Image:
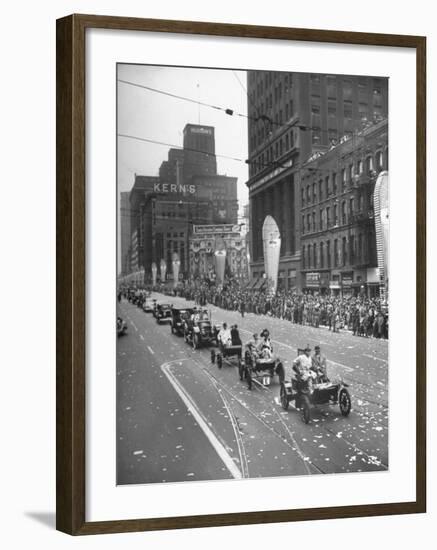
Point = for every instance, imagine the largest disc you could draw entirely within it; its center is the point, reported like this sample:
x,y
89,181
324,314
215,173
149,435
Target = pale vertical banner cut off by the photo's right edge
x,y
380,201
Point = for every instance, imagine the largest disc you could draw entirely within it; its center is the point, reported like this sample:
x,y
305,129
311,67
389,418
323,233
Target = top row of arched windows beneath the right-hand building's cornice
x,y
331,184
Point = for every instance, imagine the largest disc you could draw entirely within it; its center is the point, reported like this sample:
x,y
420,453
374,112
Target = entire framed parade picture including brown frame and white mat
x,y
241,274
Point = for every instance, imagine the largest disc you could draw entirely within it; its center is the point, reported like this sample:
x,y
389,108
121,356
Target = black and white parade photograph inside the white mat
x,y
253,282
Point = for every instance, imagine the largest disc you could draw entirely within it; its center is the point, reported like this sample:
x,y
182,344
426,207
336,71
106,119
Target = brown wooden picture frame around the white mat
x,y
71,248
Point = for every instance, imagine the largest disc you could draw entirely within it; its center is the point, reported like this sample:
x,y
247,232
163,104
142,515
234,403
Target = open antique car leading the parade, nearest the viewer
x,y
306,396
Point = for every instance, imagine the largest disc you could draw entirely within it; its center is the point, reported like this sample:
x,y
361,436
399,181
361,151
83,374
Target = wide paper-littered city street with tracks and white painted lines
x,y
180,418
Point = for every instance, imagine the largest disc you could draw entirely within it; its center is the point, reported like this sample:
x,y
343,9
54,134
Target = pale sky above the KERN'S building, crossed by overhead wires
x,y
150,115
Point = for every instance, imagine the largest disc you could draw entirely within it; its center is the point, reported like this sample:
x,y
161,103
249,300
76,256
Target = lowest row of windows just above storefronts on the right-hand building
x,y
343,252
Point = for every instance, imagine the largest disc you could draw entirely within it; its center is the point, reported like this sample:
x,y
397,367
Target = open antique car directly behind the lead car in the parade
x,y
260,368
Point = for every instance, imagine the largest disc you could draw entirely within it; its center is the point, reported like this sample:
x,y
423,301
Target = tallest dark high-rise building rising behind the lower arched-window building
x,y
292,116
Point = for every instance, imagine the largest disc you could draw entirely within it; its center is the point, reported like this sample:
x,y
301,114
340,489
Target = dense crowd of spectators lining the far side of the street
x,y
363,316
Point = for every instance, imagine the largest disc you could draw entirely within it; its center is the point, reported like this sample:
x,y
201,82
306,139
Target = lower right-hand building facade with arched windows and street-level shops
x,y
338,241
